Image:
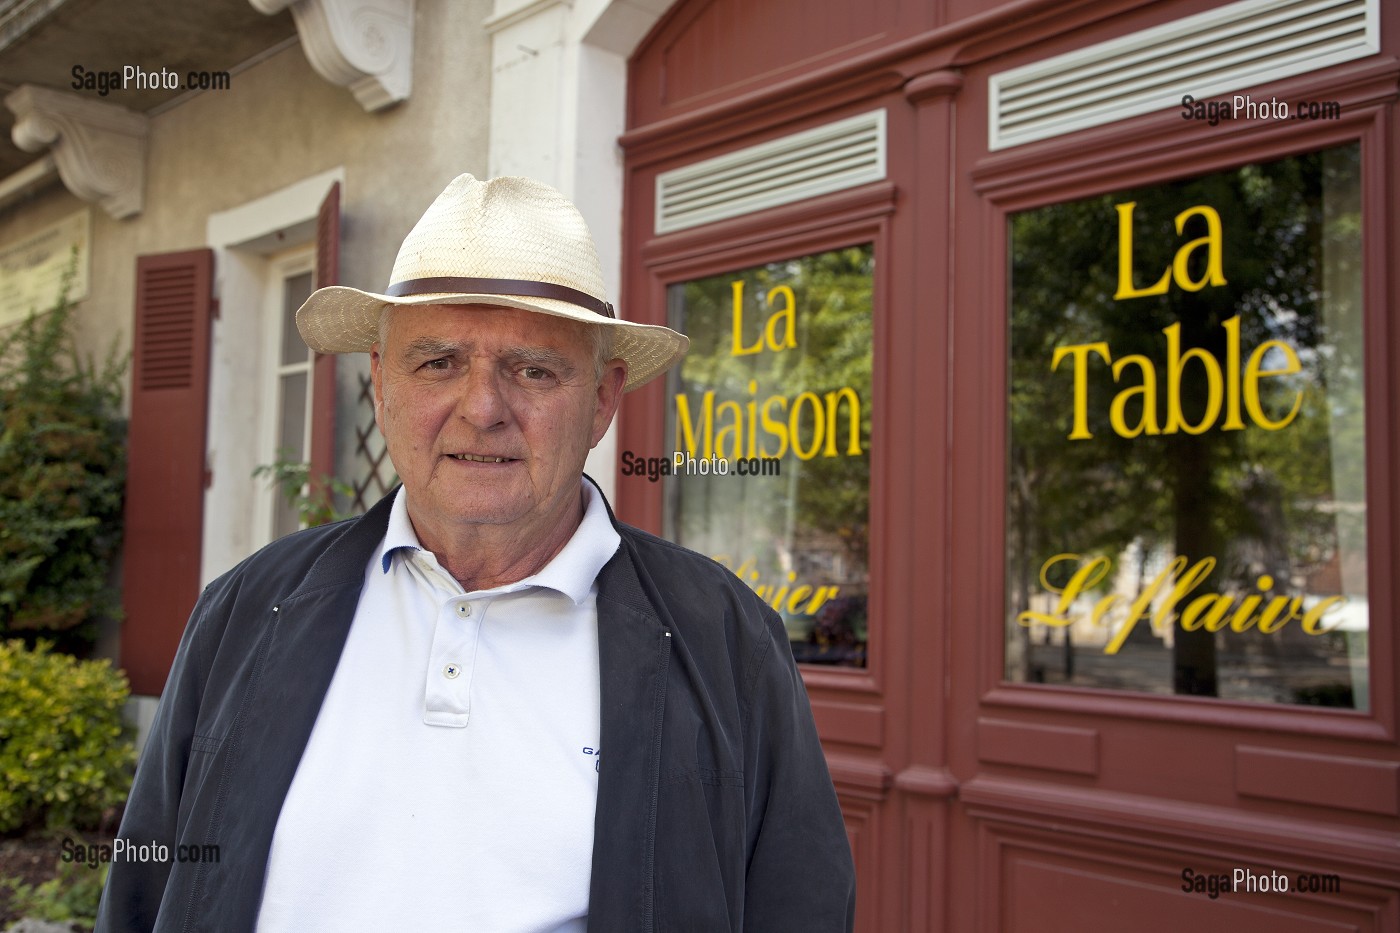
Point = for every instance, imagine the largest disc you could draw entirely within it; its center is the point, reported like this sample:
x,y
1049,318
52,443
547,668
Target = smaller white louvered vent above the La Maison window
x,y
807,165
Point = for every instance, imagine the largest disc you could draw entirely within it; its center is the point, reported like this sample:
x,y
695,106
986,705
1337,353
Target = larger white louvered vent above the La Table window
x,y
1207,55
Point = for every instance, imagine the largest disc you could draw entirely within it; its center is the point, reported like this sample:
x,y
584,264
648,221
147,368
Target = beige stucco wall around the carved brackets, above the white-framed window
x,y
282,123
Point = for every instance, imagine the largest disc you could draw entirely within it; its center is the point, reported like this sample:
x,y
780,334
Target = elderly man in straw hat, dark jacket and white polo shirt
x,y
485,705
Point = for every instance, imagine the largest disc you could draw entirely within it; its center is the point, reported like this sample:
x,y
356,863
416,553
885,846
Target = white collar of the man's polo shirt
x,y
572,572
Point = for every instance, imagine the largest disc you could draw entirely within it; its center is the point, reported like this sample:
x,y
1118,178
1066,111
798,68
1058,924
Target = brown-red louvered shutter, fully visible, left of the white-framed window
x,y
166,460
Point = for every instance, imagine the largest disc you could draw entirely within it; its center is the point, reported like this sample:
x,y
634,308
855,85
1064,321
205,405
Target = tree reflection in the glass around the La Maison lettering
x,y
813,520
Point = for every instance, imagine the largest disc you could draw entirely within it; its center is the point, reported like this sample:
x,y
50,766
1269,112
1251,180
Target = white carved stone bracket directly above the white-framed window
x,y
366,46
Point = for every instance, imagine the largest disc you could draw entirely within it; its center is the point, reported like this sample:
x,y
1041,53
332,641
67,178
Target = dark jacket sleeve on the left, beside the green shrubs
x,y
135,889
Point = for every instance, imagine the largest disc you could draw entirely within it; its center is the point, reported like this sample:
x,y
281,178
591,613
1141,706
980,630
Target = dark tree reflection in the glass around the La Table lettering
x,y
1263,502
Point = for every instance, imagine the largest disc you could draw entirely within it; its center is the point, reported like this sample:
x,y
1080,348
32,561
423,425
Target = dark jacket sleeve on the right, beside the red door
x,y
800,872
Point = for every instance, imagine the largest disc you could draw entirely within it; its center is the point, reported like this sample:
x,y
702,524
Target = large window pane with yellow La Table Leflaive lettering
x,y
1186,501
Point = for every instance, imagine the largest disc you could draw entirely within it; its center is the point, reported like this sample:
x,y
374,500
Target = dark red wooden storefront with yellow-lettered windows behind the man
x,y
997,775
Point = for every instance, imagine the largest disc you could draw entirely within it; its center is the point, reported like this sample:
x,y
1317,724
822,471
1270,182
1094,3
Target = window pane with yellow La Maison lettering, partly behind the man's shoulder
x,y
771,417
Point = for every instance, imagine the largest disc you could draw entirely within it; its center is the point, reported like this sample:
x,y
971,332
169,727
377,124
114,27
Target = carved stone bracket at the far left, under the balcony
x,y
100,149
